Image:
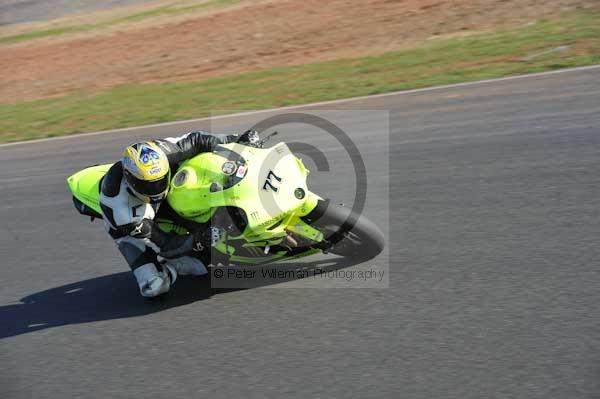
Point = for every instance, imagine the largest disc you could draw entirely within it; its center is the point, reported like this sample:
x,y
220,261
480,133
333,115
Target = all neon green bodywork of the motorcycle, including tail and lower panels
x,y
272,192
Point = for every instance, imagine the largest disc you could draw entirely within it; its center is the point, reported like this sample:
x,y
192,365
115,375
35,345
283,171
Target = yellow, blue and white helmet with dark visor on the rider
x,y
146,171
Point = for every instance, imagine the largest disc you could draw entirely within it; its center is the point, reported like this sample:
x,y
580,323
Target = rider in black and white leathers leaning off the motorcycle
x,y
131,193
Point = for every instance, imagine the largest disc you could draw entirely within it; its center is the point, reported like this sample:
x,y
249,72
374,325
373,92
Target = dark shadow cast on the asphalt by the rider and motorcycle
x,y
116,296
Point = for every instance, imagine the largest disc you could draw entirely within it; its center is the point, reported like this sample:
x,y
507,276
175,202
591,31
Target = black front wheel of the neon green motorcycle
x,y
347,233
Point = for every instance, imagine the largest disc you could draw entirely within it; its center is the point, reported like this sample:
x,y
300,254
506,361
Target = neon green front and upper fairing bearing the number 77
x,y
190,194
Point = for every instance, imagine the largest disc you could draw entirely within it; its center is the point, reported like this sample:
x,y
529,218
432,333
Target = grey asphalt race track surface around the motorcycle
x,y
494,284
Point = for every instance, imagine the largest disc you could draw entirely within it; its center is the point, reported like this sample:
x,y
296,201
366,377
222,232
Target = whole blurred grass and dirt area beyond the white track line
x,y
78,66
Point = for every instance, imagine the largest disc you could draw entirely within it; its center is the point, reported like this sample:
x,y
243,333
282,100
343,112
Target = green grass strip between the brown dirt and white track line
x,y
571,40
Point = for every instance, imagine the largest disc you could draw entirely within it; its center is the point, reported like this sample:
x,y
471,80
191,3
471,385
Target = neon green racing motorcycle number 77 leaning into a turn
x,y
255,203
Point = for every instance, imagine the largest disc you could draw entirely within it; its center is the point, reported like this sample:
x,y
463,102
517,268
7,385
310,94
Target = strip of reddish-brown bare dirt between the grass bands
x,y
246,38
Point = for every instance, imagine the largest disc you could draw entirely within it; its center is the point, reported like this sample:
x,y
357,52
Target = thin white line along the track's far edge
x,y
351,99
